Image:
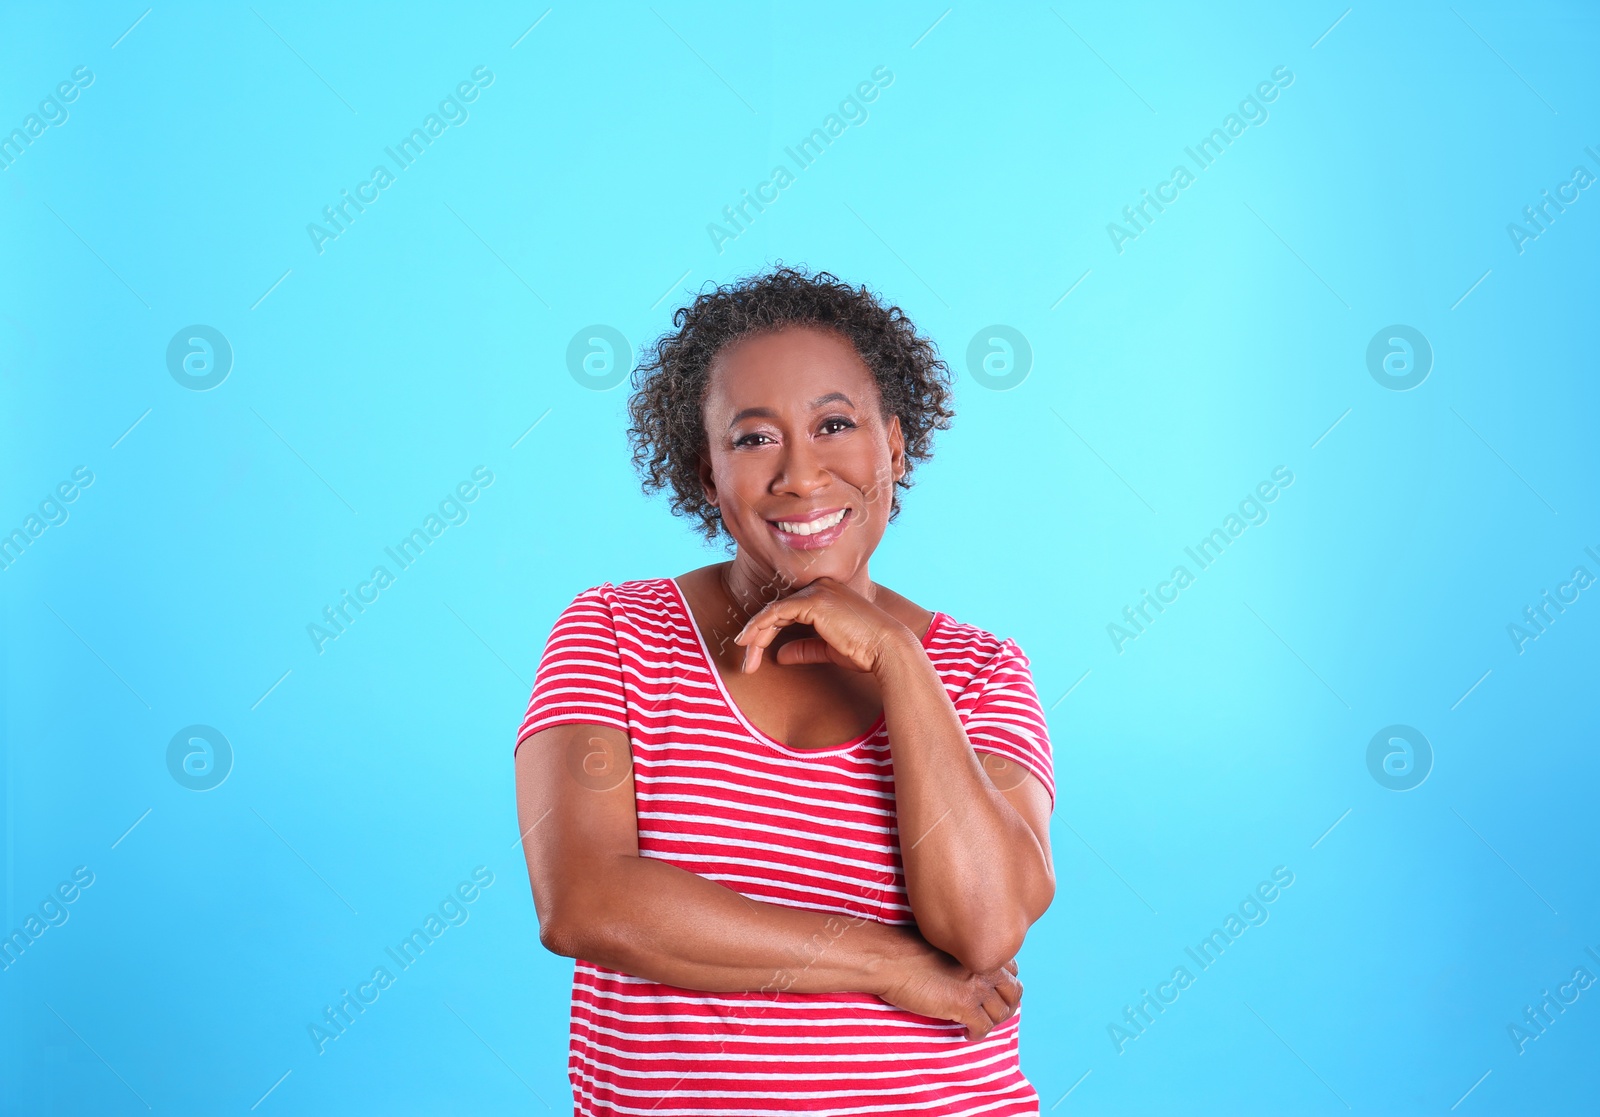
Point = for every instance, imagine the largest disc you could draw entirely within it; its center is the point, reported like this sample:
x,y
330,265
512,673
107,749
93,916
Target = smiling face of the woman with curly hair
x,y
796,444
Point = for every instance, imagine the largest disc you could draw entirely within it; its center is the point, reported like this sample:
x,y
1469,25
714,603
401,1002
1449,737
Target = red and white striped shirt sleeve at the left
x,y
580,678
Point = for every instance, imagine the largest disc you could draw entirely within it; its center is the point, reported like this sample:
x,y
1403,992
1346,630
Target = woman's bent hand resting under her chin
x,y
850,630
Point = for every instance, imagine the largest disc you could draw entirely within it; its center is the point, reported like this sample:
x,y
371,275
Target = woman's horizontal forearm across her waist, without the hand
x,y
665,924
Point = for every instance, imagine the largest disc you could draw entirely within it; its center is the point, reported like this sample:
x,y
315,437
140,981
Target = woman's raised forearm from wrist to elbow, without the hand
x,y
975,873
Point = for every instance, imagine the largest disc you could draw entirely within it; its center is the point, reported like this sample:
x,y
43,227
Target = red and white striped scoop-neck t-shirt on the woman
x,y
806,828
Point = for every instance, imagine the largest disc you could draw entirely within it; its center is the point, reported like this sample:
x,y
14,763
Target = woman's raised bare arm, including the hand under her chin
x,y
974,827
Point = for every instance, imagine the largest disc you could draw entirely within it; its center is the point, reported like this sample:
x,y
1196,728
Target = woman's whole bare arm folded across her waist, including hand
x,y
601,902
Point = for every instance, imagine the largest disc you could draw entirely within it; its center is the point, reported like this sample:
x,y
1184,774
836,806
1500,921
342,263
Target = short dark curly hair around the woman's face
x,y
668,430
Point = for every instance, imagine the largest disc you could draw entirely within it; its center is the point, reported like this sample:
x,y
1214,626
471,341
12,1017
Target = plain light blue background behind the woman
x,y
374,777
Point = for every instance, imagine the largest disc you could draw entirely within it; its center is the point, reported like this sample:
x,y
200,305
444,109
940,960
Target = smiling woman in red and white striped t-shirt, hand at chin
x,y
793,825
